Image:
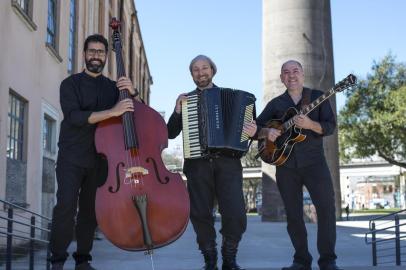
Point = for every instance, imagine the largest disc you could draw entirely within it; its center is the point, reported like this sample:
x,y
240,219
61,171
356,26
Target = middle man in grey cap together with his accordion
x,y
211,120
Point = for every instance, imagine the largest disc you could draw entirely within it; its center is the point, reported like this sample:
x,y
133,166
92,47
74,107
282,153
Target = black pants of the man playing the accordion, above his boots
x,y
221,178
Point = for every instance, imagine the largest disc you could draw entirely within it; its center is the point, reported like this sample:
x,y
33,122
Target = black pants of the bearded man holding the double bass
x,y
76,187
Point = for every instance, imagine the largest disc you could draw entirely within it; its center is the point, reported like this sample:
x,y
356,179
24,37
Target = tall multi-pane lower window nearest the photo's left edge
x,y
15,131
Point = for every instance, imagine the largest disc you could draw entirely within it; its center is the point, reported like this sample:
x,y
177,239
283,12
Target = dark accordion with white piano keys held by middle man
x,y
213,120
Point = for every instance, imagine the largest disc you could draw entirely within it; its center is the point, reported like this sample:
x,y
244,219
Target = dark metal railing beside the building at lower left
x,y
23,238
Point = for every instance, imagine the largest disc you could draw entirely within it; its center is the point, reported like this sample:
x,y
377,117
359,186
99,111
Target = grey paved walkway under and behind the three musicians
x,y
265,245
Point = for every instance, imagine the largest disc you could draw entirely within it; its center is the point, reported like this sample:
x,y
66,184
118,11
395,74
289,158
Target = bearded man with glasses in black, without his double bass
x,y
86,98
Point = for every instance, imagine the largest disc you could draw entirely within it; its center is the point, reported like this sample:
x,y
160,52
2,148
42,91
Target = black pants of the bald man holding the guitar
x,y
317,180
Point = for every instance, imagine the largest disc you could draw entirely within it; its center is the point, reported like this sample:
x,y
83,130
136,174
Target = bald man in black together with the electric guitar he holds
x,y
294,143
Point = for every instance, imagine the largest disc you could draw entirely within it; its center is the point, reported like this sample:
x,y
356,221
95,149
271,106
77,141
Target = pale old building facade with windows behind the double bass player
x,y
42,44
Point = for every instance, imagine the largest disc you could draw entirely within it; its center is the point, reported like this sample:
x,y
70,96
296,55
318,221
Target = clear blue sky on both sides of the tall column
x,y
229,31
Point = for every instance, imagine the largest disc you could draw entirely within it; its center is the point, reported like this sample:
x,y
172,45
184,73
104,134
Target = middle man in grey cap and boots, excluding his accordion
x,y
210,177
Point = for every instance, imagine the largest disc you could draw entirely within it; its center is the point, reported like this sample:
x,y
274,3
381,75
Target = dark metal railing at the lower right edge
x,y
387,237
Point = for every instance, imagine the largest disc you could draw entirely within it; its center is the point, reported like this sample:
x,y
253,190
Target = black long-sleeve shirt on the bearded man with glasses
x,y
80,96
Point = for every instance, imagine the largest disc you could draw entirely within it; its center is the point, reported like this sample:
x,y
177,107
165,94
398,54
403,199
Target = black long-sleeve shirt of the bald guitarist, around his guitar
x,y
311,150
